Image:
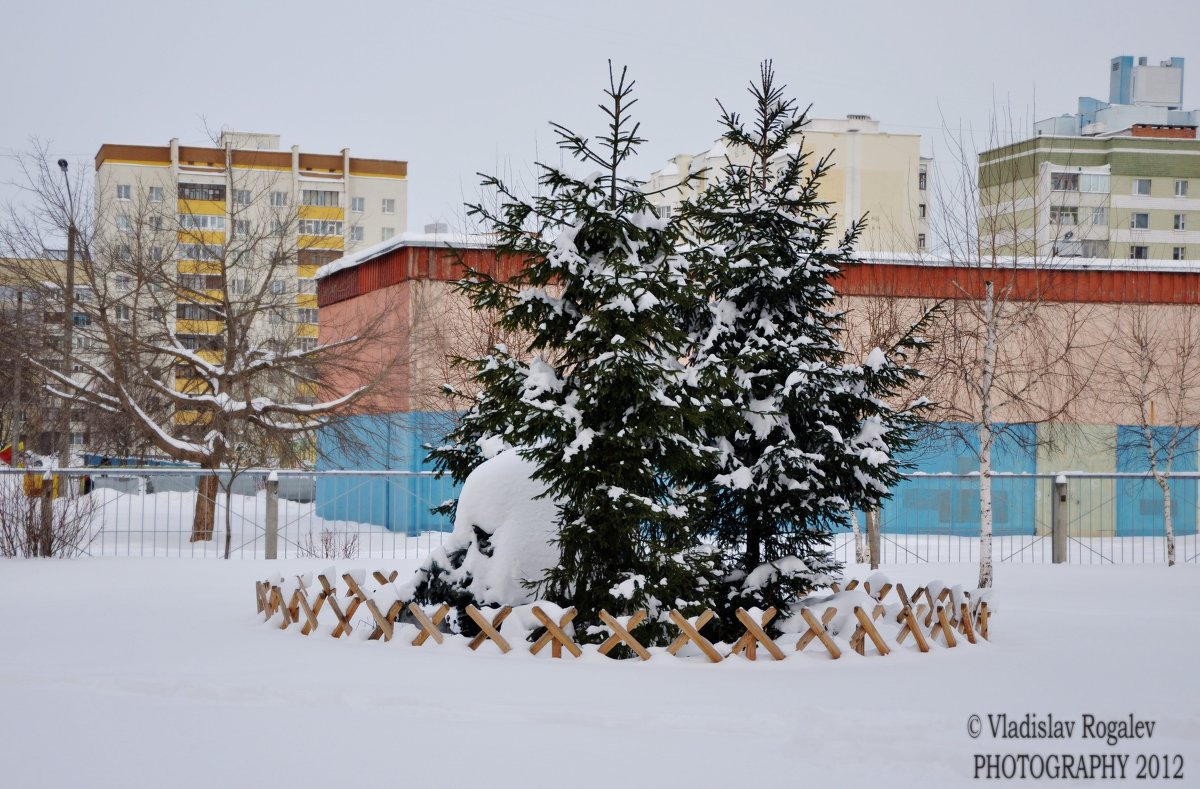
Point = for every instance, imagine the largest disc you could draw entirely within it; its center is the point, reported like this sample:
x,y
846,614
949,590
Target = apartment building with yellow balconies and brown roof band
x,y
238,221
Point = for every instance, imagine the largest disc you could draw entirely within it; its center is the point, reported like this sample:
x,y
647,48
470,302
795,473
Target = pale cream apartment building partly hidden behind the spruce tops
x,y
874,173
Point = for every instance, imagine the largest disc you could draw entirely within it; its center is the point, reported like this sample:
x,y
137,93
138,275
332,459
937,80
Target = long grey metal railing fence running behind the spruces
x,y
1108,519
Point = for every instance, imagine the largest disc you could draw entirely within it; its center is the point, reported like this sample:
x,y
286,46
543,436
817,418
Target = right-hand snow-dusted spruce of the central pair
x,y
815,436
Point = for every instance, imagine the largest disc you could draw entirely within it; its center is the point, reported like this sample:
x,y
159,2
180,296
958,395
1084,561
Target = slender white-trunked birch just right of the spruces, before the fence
x,y
1016,351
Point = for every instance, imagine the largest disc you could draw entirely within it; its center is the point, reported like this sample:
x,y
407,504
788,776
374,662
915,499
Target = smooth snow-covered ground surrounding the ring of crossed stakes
x,y
158,673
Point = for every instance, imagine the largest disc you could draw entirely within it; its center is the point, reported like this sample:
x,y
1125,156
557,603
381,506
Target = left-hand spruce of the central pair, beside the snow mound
x,y
603,406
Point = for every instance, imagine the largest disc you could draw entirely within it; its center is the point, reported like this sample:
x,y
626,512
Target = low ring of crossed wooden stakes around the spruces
x,y
857,617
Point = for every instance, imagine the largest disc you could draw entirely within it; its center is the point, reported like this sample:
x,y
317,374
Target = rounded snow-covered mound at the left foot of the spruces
x,y
501,537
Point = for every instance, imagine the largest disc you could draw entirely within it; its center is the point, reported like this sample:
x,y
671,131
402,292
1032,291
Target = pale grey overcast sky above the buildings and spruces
x,y
459,88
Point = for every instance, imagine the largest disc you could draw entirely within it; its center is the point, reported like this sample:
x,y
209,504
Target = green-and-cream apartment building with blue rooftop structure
x,y
1119,179
